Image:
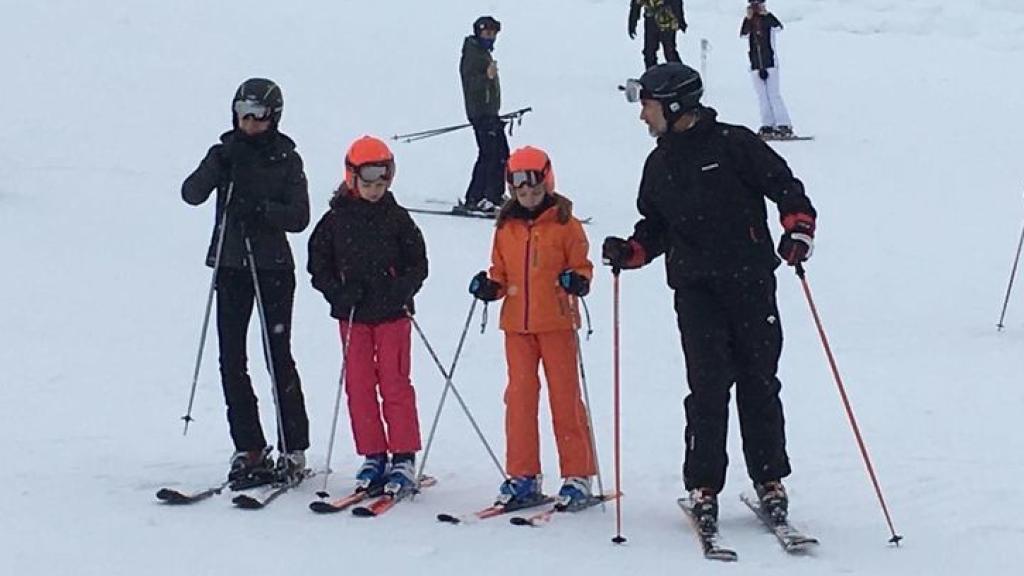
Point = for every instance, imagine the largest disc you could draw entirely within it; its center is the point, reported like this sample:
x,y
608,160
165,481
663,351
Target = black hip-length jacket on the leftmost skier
x,y
269,172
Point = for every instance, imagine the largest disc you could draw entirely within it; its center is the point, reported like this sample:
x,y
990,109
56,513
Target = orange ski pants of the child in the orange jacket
x,y
523,443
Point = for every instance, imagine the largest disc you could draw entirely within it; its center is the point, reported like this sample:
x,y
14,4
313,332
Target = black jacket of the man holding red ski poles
x,y
702,201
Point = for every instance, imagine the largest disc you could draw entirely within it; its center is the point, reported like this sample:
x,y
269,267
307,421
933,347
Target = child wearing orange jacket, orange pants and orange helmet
x,y
539,266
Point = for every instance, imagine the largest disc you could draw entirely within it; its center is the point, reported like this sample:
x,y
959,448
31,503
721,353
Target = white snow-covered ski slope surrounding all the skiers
x,y
916,173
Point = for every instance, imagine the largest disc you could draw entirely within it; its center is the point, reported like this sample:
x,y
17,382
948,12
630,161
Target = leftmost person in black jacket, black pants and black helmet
x,y
261,183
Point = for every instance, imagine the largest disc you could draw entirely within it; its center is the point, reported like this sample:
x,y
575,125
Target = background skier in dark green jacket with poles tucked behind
x,y
483,94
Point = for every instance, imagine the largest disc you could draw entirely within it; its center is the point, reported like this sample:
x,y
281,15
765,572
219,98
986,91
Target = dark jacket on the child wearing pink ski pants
x,y
373,244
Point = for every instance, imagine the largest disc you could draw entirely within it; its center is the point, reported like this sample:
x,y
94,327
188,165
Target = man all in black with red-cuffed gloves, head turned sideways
x,y
702,205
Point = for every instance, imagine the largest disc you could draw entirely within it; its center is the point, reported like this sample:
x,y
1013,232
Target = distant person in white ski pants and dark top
x,y
760,27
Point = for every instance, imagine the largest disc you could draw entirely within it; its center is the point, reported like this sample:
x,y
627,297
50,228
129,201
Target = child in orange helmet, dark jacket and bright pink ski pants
x,y
368,258
